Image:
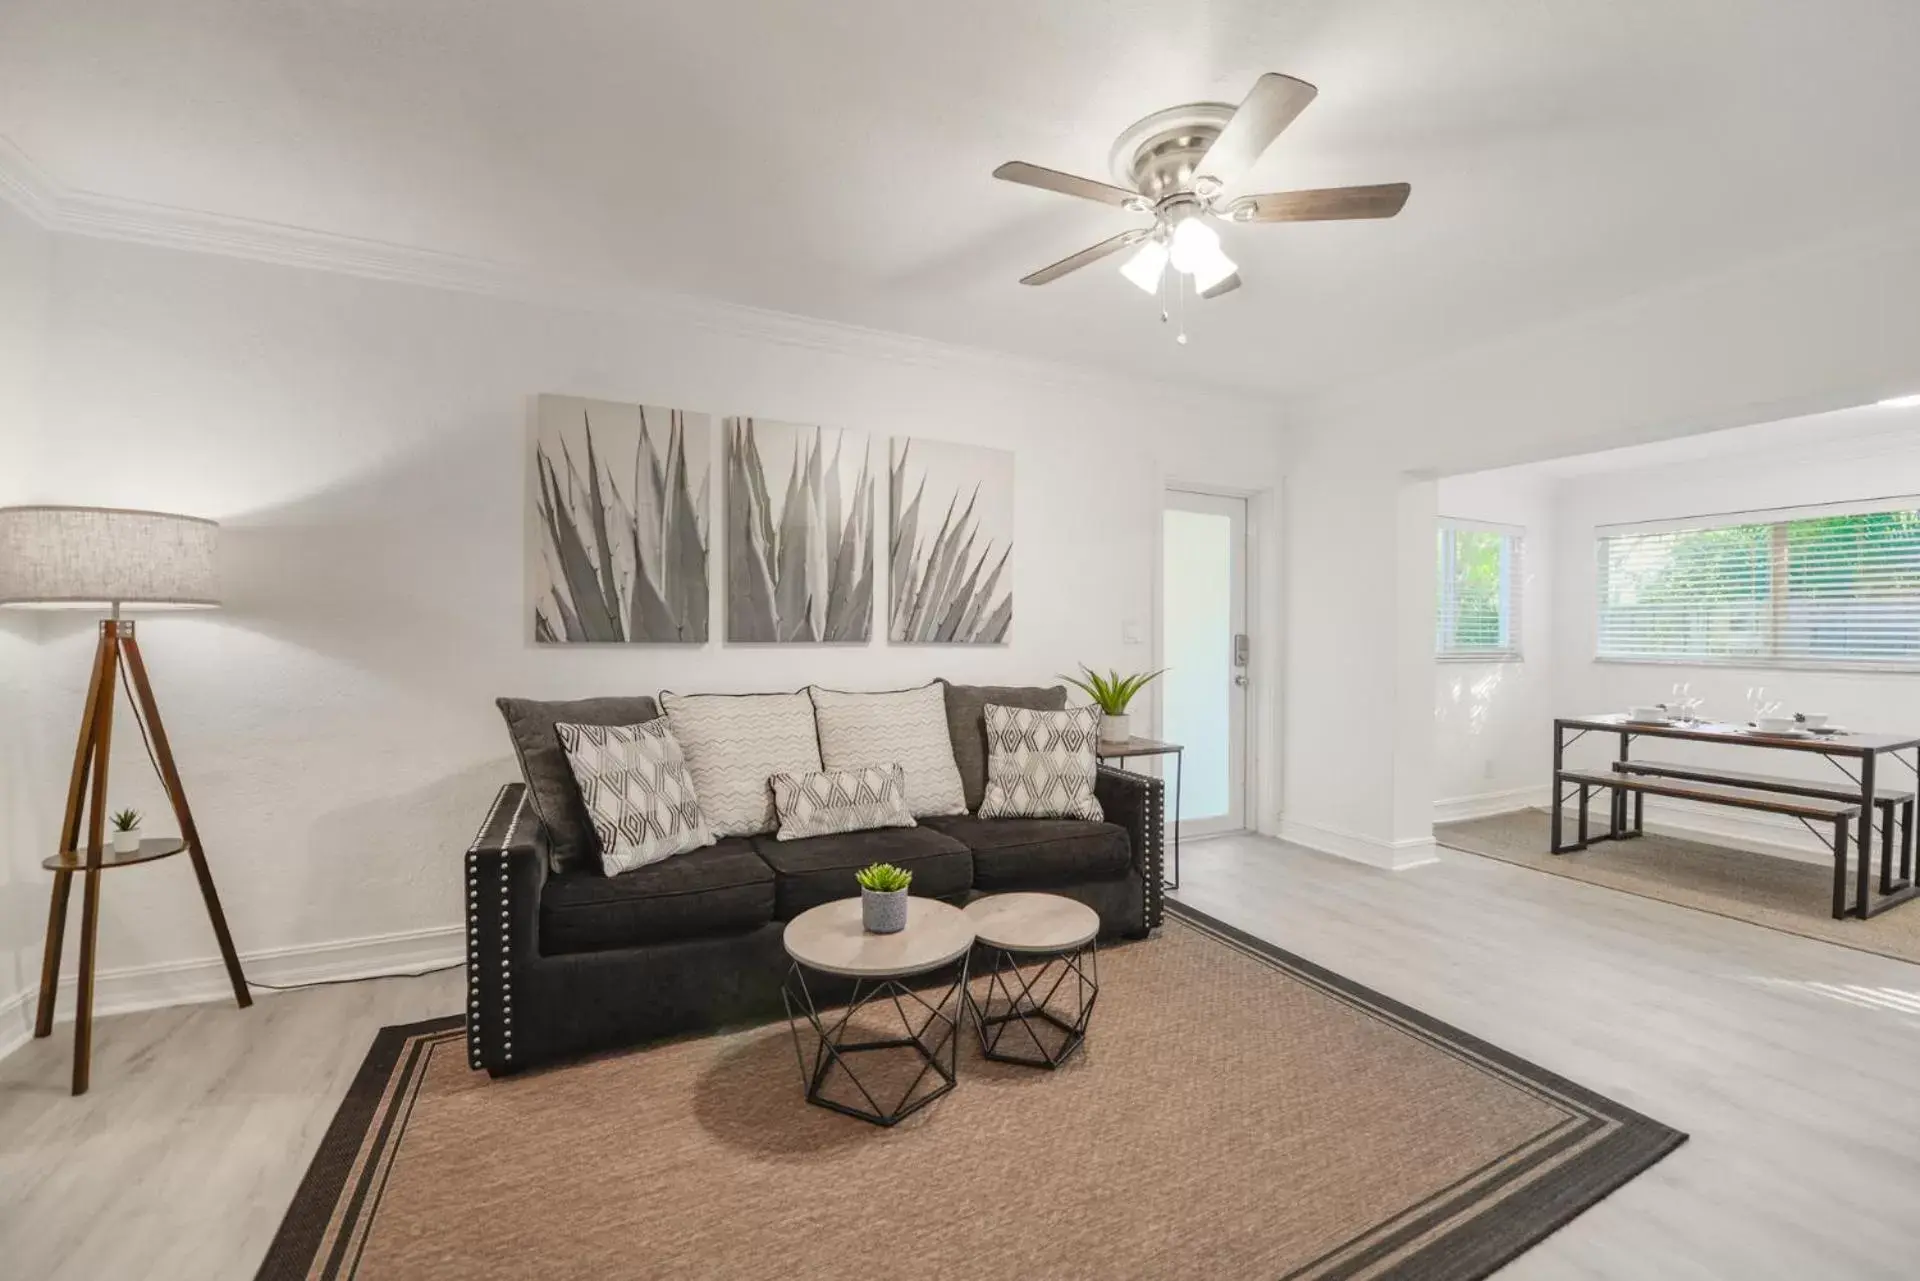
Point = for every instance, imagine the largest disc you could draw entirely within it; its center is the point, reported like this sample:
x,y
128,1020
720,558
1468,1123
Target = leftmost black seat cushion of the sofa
x,y
715,890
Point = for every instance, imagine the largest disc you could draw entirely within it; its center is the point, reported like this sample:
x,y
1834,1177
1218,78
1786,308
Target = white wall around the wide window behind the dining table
x,y
1833,462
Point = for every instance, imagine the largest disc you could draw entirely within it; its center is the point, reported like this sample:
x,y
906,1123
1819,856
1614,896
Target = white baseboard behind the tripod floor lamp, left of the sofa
x,y
193,982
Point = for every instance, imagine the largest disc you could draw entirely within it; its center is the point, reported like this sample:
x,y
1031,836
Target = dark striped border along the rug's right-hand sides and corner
x,y
1497,1238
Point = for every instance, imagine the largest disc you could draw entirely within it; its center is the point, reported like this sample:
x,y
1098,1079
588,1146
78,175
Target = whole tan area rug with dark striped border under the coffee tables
x,y
1236,1113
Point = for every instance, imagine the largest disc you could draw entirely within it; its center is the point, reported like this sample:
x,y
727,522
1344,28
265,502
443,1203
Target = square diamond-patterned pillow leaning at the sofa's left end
x,y
638,792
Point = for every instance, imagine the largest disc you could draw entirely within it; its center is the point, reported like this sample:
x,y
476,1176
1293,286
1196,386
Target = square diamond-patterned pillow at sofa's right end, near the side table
x,y
1042,765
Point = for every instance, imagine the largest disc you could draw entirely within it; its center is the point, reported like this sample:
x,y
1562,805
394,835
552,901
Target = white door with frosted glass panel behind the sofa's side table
x,y
1203,644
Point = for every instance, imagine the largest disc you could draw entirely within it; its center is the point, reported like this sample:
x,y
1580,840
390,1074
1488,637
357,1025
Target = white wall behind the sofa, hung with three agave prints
x,y
364,447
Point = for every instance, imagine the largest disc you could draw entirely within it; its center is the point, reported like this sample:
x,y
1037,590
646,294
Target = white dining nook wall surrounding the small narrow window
x,y
1491,738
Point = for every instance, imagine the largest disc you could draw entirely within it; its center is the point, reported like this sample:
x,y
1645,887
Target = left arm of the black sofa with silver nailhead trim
x,y
506,873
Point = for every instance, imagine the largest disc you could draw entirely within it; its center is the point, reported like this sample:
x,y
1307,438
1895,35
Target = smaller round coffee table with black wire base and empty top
x,y
1042,977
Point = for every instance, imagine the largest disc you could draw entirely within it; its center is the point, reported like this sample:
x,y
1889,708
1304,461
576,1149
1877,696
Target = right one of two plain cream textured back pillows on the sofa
x,y
901,727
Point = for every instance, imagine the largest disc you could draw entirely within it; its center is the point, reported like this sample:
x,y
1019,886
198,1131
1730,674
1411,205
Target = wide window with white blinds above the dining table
x,y
1836,589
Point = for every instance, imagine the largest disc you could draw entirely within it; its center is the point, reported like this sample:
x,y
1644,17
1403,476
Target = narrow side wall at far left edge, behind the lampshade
x,y
24,297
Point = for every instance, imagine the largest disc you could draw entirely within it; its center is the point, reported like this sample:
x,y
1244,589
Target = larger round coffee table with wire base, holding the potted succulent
x,y
830,940
